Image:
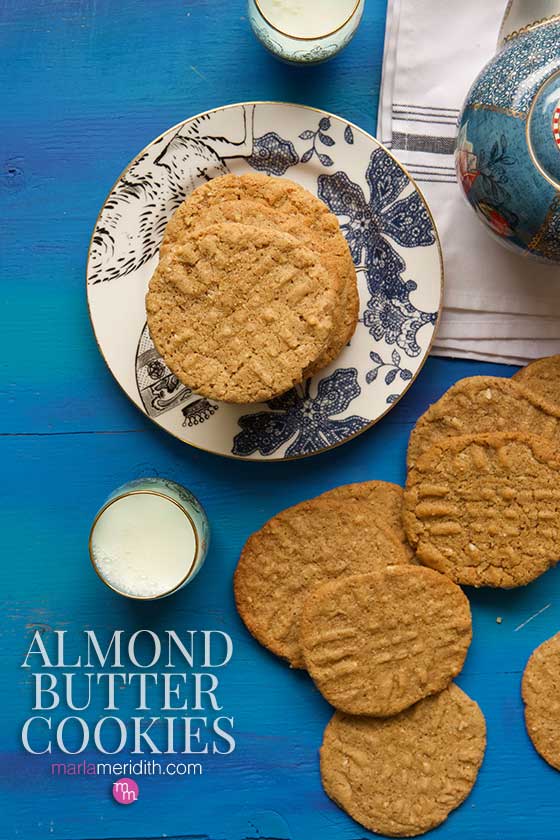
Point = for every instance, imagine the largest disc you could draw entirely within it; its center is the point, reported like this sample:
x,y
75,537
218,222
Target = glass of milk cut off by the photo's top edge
x,y
305,31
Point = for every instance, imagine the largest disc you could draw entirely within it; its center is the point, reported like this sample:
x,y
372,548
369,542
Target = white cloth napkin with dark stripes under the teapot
x,y
499,306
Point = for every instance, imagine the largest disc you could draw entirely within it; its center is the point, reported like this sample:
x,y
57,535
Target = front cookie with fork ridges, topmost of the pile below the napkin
x,y
485,509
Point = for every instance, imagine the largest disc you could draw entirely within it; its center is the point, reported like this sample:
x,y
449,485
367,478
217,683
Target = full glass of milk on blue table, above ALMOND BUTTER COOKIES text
x,y
149,539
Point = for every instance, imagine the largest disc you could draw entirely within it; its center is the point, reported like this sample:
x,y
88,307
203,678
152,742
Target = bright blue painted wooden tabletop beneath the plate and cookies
x,y
87,83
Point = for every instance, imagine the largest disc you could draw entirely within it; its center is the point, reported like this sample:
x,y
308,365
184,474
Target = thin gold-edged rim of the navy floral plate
x,y
368,426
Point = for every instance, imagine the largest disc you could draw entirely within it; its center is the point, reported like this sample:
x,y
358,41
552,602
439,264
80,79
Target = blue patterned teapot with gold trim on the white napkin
x,y
508,146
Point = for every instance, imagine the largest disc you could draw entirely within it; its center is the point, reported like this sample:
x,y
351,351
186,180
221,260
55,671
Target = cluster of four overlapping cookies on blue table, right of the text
x,y
331,585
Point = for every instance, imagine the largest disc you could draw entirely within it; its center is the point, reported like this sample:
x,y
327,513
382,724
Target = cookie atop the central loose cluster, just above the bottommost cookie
x,y
375,644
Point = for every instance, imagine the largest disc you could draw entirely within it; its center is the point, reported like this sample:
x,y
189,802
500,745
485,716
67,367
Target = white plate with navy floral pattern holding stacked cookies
x,y
391,235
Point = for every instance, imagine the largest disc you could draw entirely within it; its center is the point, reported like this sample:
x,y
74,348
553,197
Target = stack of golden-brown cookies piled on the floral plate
x,y
255,289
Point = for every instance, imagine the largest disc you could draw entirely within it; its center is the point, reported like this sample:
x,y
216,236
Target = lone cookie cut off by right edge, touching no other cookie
x,y
540,689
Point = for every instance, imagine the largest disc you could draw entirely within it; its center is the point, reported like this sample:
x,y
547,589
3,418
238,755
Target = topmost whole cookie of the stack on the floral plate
x,y
223,331
